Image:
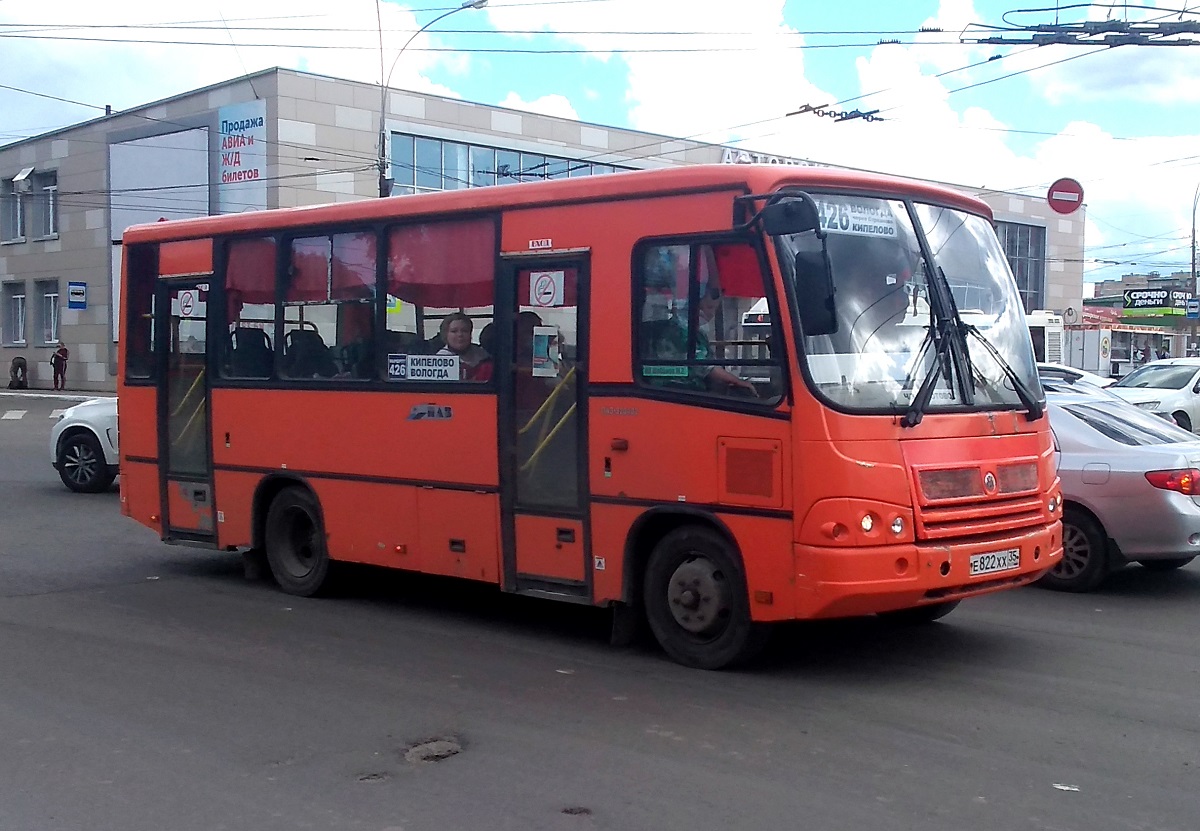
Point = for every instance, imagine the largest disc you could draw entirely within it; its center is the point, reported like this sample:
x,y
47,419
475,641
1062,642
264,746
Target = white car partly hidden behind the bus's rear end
x,y
83,446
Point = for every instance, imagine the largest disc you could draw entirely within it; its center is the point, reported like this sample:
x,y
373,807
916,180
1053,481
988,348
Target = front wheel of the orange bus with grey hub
x,y
697,601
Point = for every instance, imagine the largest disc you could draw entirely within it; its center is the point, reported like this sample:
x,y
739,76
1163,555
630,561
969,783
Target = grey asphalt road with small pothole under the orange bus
x,y
148,687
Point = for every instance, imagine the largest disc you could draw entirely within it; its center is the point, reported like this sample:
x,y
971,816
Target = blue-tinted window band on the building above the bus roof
x,y
422,165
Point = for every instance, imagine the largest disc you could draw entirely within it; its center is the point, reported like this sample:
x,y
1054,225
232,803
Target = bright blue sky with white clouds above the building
x,y
1123,122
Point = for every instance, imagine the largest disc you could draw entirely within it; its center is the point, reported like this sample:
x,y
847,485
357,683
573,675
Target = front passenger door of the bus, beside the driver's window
x,y
543,429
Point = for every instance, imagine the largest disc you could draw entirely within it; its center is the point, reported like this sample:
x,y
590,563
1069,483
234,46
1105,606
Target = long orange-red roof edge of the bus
x,y
743,178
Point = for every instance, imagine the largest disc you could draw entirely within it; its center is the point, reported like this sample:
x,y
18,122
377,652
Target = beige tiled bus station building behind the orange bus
x,y
283,139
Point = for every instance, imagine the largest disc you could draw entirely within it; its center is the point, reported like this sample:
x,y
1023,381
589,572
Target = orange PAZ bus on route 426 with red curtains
x,y
717,397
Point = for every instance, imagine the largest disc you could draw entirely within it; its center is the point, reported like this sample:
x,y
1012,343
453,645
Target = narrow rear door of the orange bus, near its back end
x,y
187,461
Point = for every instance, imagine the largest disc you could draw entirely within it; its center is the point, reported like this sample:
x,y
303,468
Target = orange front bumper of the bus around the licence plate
x,y
851,582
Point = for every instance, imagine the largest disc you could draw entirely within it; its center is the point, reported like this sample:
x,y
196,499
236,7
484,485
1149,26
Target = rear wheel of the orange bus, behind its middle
x,y
296,543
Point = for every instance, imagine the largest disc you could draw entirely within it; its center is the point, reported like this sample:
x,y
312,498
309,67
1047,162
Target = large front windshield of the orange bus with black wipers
x,y
886,340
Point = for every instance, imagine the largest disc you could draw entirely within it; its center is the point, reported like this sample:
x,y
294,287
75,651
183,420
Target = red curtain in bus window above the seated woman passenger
x,y
445,265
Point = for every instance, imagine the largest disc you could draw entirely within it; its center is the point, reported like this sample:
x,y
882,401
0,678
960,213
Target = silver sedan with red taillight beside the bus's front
x,y
1131,486
